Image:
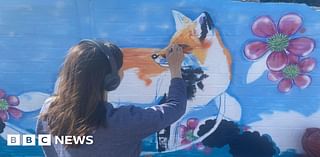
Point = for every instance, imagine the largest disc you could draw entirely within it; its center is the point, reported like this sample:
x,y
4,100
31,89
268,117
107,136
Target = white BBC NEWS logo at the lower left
x,y
46,140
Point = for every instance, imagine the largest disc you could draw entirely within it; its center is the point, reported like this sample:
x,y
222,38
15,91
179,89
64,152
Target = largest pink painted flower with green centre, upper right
x,y
278,41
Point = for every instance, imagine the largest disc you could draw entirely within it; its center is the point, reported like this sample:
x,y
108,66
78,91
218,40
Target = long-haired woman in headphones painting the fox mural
x,y
81,108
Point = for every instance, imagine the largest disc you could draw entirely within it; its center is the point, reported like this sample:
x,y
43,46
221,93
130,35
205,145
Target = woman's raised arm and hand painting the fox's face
x,y
143,122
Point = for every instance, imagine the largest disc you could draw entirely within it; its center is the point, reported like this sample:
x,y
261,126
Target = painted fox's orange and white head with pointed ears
x,y
194,36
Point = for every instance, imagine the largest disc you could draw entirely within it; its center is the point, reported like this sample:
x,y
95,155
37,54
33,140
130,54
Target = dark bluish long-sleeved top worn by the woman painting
x,y
126,127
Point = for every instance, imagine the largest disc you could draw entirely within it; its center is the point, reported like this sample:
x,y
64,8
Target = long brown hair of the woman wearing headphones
x,y
78,107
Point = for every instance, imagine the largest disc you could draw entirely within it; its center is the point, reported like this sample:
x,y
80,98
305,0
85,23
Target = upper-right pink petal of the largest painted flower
x,y
289,24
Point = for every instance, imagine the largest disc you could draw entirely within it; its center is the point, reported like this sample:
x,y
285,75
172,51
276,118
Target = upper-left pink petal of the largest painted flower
x,y
264,27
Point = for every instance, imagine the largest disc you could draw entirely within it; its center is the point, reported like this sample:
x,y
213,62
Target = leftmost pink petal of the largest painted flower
x,y
255,50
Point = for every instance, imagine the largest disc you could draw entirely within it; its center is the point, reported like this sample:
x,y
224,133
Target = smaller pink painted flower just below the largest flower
x,y
293,73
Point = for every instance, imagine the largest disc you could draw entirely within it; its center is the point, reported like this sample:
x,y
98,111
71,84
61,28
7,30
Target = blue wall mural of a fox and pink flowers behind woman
x,y
251,69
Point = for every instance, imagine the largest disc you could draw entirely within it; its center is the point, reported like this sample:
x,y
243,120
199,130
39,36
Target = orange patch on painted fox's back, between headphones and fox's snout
x,y
140,58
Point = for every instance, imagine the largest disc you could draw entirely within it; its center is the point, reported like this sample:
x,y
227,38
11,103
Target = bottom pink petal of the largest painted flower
x,y
277,61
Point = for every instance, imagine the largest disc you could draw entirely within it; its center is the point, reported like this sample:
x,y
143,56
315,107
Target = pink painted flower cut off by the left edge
x,y
7,104
